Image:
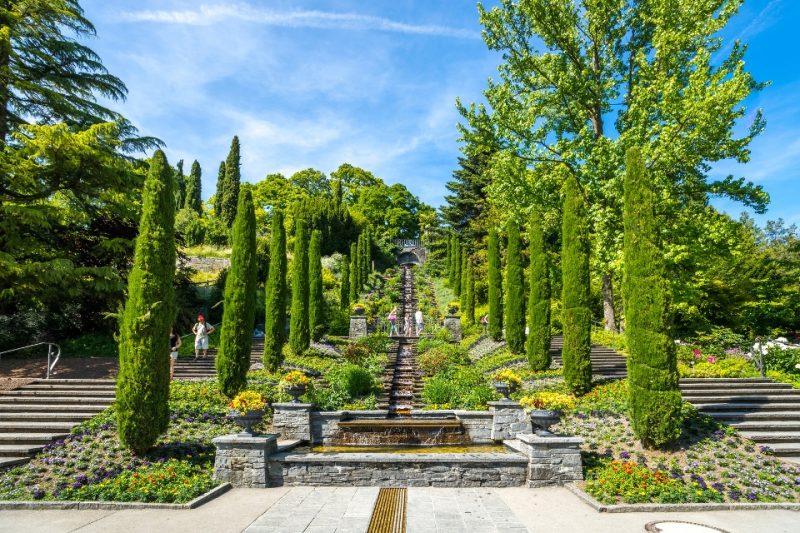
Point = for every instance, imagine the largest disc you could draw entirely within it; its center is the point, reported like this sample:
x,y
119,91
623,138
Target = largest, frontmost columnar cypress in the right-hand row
x,y
654,397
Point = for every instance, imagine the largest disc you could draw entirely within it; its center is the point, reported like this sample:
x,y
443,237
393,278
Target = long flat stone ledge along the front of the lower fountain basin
x,y
443,458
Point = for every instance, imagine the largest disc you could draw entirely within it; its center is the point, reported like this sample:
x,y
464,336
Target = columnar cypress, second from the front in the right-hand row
x,y
576,315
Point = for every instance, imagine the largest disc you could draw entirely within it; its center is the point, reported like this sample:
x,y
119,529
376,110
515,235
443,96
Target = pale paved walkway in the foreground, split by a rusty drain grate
x,y
342,510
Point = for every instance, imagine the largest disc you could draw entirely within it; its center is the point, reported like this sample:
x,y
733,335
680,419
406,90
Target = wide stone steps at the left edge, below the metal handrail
x,y
45,410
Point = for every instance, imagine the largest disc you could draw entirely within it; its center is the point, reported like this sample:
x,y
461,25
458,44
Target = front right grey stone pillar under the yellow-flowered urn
x,y
553,460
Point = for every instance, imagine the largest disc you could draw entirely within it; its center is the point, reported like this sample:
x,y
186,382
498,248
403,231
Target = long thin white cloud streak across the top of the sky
x,y
206,15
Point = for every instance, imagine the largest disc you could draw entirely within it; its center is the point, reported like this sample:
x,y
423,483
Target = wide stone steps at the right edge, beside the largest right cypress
x,y
762,410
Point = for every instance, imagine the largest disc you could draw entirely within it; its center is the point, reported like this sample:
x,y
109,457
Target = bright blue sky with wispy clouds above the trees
x,y
315,84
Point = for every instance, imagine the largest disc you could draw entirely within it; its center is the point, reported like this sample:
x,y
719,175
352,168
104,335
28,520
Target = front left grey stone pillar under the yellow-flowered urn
x,y
242,460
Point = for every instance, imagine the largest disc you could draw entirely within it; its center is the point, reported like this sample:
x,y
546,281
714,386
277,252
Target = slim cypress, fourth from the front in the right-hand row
x,y
515,291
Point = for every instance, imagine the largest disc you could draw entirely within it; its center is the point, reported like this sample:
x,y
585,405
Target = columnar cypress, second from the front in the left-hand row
x,y
236,338
